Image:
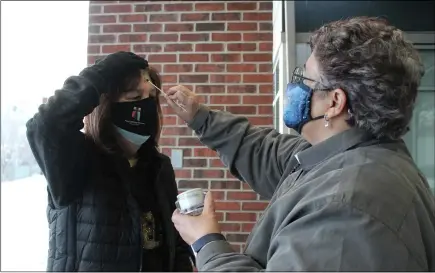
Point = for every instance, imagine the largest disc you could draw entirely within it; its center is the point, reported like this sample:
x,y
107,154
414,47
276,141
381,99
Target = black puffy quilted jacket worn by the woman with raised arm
x,y
93,217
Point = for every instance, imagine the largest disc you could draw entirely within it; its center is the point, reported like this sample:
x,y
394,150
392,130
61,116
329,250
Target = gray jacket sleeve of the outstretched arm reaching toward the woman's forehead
x,y
254,155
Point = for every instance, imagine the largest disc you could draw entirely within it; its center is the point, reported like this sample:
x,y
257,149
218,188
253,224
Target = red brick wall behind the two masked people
x,y
222,50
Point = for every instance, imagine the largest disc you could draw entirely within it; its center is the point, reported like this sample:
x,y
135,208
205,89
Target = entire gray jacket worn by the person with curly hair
x,y
351,203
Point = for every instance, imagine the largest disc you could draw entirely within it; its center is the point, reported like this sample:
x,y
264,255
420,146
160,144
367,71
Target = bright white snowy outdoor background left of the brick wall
x,y
43,43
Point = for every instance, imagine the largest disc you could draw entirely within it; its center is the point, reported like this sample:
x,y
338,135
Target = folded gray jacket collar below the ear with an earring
x,y
332,146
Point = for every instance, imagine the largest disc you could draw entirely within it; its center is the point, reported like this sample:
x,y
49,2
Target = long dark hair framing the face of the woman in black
x,y
98,125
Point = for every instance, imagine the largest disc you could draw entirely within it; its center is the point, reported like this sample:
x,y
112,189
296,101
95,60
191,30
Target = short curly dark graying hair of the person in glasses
x,y
377,68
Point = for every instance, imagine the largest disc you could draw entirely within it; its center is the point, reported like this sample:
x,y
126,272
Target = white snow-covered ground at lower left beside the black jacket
x,y
24,226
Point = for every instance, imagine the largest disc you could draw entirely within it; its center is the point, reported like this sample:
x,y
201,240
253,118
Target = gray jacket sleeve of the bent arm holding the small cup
x,y
335,238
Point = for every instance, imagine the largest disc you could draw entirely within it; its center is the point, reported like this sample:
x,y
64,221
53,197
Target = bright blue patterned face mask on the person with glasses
x,y
297,112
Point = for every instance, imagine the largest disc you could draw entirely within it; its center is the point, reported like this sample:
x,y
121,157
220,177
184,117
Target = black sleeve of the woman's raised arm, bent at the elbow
x,y
60,148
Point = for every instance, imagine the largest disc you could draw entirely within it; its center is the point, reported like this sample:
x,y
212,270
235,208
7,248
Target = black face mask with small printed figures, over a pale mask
x,y
136,120
